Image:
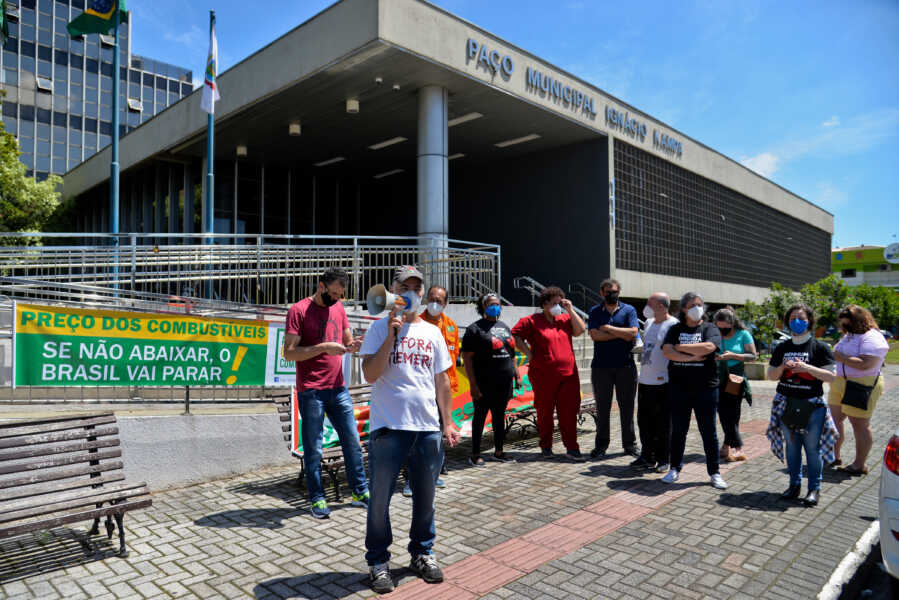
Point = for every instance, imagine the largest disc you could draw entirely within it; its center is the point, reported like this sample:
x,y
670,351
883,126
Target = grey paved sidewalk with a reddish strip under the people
x,y
532,529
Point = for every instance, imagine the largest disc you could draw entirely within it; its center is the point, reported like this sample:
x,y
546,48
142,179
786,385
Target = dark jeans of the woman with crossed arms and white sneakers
x,y
703,401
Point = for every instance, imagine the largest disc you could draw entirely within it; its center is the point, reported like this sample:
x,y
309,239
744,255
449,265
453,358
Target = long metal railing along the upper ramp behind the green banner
x,y
249,268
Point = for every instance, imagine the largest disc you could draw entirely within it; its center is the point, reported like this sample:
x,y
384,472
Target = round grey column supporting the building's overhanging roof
x,y
433,182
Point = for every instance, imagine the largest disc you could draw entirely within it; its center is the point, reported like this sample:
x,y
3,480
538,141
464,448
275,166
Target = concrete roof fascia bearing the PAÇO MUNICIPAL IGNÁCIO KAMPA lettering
x,y
443,38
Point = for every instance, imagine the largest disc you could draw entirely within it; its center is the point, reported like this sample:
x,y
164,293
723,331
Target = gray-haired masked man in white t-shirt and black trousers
x,y
653,410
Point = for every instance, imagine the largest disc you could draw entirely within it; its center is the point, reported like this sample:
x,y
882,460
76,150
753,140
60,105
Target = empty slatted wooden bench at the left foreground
x,y
61,470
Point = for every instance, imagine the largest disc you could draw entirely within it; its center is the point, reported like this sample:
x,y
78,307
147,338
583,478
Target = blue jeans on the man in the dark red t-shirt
x,y
338,405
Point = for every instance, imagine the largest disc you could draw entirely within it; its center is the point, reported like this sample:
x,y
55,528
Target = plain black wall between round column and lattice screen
x,y
548,211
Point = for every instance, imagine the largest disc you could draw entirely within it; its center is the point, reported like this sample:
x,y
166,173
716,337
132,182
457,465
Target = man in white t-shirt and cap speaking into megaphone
x,y
406,360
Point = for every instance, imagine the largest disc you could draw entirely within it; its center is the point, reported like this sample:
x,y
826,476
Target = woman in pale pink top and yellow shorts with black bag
x,y
858,385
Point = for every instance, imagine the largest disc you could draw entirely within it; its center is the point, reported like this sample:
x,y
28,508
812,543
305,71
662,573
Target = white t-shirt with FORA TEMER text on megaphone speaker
x,y
404,396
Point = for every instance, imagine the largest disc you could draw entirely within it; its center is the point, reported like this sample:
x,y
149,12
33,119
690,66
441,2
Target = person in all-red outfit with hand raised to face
x,y
545,339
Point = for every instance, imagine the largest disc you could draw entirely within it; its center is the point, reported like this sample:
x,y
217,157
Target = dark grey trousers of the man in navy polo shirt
x,y
623,380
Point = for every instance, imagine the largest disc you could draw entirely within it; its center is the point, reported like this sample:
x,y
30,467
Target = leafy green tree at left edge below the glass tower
x,y
25,203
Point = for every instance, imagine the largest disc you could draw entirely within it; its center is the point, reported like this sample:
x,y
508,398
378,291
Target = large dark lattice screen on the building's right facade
x,y
655,233
